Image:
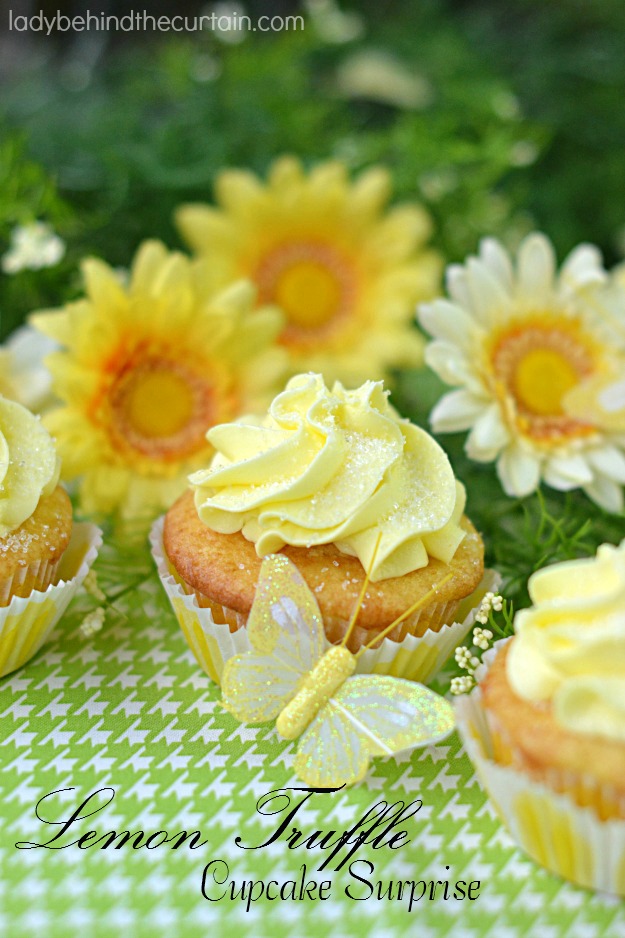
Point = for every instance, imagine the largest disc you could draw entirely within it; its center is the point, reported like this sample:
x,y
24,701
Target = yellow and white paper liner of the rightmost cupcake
x,y
555,831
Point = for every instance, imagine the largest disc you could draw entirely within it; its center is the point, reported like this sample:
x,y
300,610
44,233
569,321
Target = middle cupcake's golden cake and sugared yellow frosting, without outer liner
x,y
342,485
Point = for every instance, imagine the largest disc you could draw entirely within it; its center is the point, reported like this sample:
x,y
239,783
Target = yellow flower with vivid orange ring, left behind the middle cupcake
x,y
146,369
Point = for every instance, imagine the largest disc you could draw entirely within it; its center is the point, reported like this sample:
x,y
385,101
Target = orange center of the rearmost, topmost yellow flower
x,y
313,284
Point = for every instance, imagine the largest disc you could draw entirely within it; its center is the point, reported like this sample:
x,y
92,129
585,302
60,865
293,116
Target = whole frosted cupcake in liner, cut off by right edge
x,y
546,724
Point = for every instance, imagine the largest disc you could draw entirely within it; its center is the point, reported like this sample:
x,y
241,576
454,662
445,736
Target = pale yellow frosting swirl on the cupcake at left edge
x,y
29,467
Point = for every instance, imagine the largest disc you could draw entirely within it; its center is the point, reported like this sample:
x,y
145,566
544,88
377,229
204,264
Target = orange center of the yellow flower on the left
x,y
159,408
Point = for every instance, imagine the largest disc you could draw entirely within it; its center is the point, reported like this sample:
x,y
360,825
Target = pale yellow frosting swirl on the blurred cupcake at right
x,y
570,646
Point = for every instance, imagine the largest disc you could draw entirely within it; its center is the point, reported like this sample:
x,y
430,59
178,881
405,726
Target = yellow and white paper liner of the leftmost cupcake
x,y
26,622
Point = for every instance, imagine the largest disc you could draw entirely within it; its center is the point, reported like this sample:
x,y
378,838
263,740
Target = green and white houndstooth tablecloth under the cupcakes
x,y
130,710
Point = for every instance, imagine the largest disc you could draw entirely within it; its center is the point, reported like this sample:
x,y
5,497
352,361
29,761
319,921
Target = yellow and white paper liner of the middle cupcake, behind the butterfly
x,y
214,637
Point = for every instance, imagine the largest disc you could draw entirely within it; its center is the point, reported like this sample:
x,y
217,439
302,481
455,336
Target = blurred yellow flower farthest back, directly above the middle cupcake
x,y
346,273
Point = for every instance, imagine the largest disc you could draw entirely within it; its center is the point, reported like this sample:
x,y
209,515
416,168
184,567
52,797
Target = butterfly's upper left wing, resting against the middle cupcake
x,y
285,630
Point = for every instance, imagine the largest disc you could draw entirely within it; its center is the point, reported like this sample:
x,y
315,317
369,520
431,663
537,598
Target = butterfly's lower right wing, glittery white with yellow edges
x,y
370,715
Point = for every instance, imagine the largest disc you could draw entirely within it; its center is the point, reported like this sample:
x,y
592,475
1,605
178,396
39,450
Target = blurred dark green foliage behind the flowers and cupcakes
x,y
499,117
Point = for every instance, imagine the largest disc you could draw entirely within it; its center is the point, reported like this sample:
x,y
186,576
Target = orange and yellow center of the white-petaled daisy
x,y
535,365
